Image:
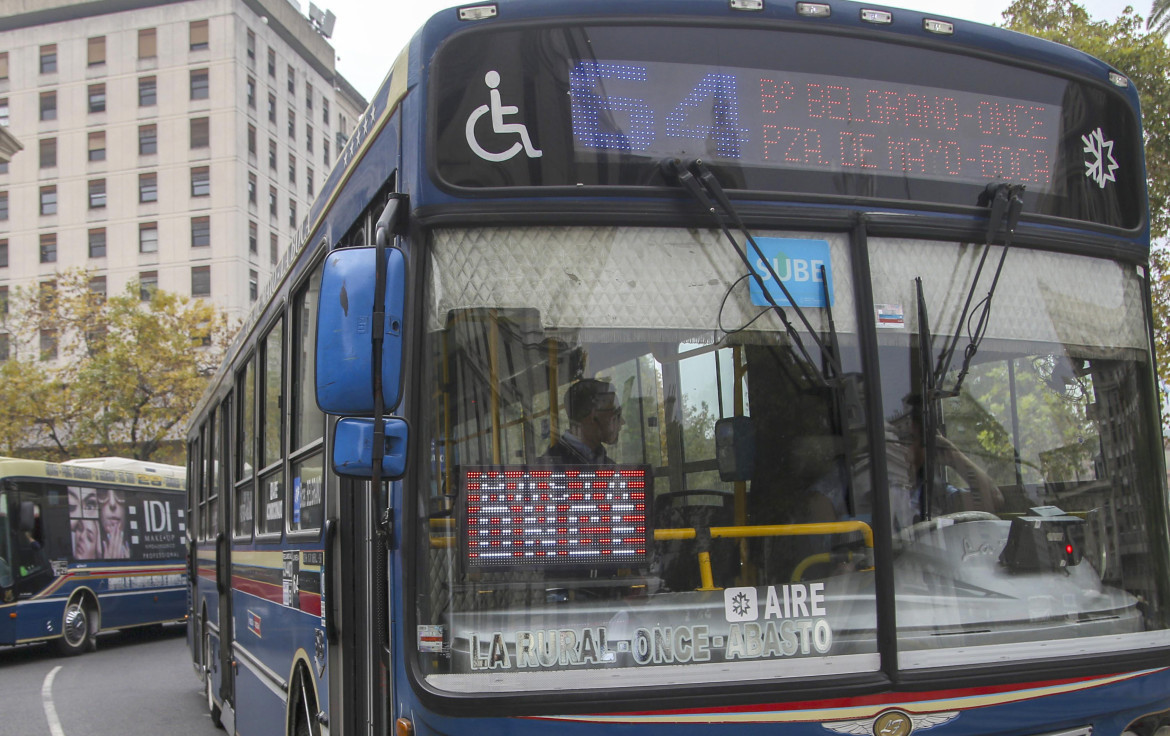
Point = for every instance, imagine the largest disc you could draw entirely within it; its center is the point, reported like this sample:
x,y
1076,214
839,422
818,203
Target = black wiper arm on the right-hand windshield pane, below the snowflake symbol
x,y
1007,202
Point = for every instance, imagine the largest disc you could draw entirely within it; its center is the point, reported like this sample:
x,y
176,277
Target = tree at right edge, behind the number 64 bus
x,y
1145,58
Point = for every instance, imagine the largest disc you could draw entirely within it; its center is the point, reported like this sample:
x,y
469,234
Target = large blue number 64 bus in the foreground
x,y
739,367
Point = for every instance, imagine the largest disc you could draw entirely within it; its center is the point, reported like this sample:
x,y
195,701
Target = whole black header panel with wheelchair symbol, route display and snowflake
x,y
594,111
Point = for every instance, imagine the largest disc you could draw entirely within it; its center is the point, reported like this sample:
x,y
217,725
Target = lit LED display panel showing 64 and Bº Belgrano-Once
x,y
816,122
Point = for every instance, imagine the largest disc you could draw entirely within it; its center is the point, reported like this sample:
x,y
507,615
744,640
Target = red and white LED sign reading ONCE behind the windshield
x,y
545,517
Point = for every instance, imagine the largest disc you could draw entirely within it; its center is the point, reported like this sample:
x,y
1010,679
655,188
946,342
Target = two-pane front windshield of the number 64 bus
x,y
641,473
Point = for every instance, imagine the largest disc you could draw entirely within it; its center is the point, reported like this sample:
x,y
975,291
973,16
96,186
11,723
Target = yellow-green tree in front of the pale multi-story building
x,y
126,375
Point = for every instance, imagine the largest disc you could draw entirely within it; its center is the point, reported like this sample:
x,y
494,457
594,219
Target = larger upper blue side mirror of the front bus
x,y
346,332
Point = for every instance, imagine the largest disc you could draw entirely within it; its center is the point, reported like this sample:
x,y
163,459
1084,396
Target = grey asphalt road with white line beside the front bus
x,y
136,684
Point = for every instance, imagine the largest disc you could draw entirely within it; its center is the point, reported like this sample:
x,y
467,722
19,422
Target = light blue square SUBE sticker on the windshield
x,y
799,264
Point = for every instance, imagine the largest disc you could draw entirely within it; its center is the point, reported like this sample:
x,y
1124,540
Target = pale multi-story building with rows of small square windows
x,y
173,143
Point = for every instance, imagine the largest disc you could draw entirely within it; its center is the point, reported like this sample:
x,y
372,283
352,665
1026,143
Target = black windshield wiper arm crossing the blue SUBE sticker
x,y
701,184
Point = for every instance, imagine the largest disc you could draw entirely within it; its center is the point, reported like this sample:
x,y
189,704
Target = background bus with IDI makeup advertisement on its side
x,y
90,546
